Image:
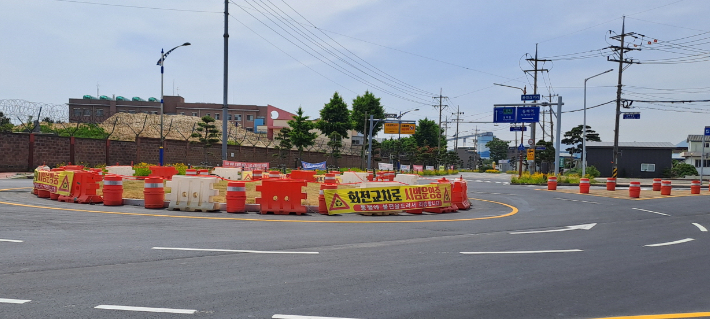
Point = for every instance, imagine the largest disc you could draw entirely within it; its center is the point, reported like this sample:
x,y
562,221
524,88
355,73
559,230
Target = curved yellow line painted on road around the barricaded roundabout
x,y
514,211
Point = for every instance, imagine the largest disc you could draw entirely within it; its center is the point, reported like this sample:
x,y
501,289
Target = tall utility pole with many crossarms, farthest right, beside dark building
x,y
620,50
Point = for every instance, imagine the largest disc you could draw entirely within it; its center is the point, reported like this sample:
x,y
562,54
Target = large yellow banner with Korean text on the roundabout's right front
x,y
383,199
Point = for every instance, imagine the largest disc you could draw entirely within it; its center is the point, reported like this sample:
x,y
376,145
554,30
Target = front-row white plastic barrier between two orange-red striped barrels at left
x,y
189,193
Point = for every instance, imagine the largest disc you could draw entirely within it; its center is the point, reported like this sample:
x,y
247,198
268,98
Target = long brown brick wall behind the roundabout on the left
x,y
52,150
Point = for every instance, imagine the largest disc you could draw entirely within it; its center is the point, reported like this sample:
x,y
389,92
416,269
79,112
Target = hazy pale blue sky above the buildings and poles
x,y
292,54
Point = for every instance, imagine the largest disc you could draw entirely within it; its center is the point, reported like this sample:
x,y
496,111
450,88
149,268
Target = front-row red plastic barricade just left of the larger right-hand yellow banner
x,y
281,197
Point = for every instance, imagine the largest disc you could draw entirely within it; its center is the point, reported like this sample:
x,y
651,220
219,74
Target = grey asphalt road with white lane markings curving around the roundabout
x,y
638,258
